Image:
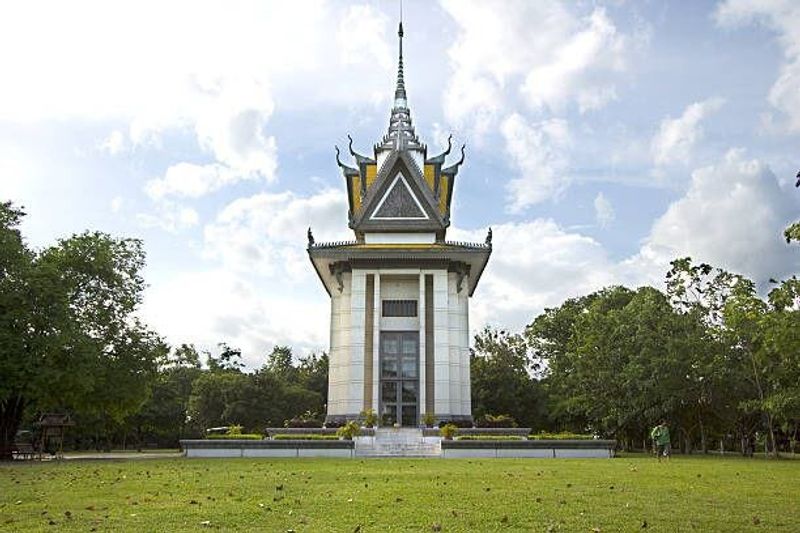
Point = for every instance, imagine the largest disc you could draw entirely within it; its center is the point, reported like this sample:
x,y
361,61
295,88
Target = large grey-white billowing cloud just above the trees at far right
x,y
732,216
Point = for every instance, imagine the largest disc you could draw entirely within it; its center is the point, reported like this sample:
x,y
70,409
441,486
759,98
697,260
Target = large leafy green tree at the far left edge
x,y
68,338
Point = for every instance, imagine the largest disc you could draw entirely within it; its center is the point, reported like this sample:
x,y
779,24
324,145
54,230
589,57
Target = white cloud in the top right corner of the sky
x,y
781,16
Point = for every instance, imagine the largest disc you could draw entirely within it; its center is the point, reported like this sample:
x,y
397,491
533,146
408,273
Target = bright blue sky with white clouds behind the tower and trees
x,y
604,139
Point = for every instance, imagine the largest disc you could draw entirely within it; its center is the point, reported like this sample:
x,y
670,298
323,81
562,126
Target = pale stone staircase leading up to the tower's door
x,y
398,442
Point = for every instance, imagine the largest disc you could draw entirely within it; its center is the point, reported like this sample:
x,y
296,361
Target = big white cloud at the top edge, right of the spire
x,y
544,51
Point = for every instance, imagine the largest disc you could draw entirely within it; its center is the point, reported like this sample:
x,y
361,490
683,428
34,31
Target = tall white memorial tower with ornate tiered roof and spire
x,y
400,291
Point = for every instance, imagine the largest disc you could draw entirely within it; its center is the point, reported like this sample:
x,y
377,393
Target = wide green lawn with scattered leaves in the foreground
x,y
623,494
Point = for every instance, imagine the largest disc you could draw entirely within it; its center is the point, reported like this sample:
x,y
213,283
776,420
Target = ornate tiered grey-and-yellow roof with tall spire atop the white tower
x,y
400,190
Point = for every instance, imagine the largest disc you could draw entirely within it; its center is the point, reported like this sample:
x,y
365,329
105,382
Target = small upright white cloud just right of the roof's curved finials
x,y
538,151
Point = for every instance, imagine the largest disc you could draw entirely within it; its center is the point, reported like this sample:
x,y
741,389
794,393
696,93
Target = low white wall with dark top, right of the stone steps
x,y
594,448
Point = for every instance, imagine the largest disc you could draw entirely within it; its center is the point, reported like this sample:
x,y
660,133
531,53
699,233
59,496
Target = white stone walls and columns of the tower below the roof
x,y
348,395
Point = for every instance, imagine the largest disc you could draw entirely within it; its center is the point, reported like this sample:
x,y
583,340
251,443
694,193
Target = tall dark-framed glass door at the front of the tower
x,y
399,363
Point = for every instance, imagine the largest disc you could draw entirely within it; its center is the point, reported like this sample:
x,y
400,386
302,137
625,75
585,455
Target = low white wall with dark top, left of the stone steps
x,y
267,448
